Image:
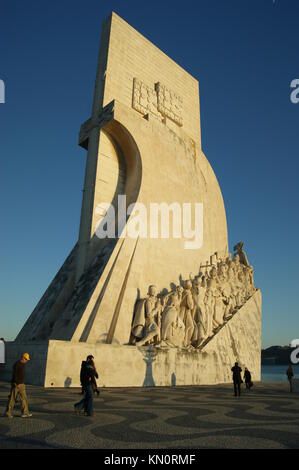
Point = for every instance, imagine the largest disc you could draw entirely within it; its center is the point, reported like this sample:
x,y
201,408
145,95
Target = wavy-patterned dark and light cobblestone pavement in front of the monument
x,y
153,418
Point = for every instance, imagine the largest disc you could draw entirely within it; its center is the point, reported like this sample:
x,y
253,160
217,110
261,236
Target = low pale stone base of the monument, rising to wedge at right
x,y
57,363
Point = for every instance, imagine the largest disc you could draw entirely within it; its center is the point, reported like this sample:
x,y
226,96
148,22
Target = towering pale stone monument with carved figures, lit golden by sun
x,y
133,302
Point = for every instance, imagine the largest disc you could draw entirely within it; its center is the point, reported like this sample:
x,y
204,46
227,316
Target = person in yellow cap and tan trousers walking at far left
x,y
18,388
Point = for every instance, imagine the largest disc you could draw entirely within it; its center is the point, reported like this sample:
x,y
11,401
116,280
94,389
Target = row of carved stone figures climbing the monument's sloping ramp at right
x,y
193,312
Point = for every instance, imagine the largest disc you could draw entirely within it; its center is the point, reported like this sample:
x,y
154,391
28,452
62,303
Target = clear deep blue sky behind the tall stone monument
x,y
244,54
